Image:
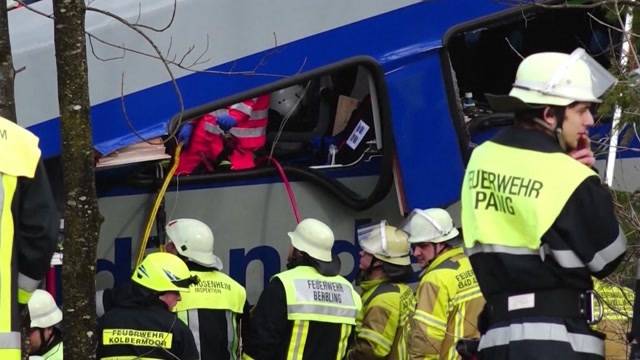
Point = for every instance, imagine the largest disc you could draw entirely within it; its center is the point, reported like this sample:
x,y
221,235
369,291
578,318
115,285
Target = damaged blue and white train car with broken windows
x,y
398,66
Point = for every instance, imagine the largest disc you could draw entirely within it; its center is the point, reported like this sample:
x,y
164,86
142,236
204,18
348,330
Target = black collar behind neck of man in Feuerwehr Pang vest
x,y
527,139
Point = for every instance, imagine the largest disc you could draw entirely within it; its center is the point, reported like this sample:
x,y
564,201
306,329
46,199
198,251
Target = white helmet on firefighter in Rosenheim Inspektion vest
x,y
194,240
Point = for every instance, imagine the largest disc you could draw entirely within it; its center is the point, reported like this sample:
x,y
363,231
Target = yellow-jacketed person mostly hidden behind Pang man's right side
x,y
615,317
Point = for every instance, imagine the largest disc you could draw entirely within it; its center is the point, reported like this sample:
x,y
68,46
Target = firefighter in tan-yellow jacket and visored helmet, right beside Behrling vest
x,y
387,302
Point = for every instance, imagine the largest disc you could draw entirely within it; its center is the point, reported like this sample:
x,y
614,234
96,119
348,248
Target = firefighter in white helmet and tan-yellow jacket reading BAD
x,y
448,296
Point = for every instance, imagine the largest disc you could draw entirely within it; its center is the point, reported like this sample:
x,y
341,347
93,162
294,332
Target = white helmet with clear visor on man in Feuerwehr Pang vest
x,y
552,78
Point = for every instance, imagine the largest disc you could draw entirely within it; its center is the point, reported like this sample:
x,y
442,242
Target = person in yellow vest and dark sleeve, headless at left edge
x,y
28,229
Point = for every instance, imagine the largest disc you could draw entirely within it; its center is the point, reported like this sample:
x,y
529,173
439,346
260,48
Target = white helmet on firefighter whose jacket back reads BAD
x,y
430,225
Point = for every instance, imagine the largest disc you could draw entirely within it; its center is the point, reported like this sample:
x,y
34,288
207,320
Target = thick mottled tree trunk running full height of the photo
x,y
82,218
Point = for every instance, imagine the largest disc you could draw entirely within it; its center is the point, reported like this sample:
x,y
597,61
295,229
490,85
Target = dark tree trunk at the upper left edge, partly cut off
x,y
7,102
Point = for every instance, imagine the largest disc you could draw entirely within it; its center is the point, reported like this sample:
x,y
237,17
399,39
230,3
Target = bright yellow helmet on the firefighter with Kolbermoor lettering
x,y
163,272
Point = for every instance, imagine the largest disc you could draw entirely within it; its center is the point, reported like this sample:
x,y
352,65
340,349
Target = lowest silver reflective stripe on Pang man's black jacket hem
x,y
541,332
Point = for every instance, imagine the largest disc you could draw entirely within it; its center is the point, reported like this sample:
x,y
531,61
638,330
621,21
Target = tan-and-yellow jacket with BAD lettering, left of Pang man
x,y
449,302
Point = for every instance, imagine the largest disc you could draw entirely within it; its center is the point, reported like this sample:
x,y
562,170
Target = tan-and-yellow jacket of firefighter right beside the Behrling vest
x,y
382,325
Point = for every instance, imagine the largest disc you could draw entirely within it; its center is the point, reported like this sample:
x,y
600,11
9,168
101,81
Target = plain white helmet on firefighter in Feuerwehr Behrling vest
x,y
314,238
